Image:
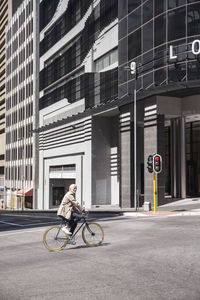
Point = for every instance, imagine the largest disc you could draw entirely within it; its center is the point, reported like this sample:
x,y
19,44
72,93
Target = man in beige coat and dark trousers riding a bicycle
x,y
70,210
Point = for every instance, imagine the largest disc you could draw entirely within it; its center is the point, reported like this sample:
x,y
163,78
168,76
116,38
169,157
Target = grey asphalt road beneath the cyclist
x,y
141,258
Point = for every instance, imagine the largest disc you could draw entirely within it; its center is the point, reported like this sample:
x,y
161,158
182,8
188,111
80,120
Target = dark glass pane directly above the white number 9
x,y
134,44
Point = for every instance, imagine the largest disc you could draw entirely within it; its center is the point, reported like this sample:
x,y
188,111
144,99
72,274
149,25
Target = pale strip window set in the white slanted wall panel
x,y
106,60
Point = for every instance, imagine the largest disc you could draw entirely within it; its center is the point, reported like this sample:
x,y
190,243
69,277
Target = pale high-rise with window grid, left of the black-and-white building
x,y
21,169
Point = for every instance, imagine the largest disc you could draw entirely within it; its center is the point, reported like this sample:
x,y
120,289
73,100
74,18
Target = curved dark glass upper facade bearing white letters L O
x,y
147,28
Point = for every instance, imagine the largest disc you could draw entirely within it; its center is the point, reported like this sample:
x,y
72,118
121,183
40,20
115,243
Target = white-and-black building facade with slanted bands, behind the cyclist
x,y
78,72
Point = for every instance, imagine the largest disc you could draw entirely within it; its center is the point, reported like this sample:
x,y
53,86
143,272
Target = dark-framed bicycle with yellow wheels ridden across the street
x,y
55,239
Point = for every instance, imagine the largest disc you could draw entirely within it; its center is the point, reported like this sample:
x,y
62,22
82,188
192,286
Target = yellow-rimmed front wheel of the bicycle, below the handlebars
x,y
92,234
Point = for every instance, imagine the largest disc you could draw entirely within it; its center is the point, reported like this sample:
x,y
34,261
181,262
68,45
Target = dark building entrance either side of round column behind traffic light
x,y
173,180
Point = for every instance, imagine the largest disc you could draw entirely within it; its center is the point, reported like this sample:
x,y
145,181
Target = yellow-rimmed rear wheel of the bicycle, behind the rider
x,y
55,239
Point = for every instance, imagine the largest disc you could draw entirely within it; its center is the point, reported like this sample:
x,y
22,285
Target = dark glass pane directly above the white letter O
x,y
193,19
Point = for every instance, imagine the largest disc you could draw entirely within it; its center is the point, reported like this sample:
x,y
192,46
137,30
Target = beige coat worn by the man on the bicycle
x,y
69,205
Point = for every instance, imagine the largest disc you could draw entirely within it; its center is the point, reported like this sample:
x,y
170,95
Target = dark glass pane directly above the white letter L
x,y
176,24
